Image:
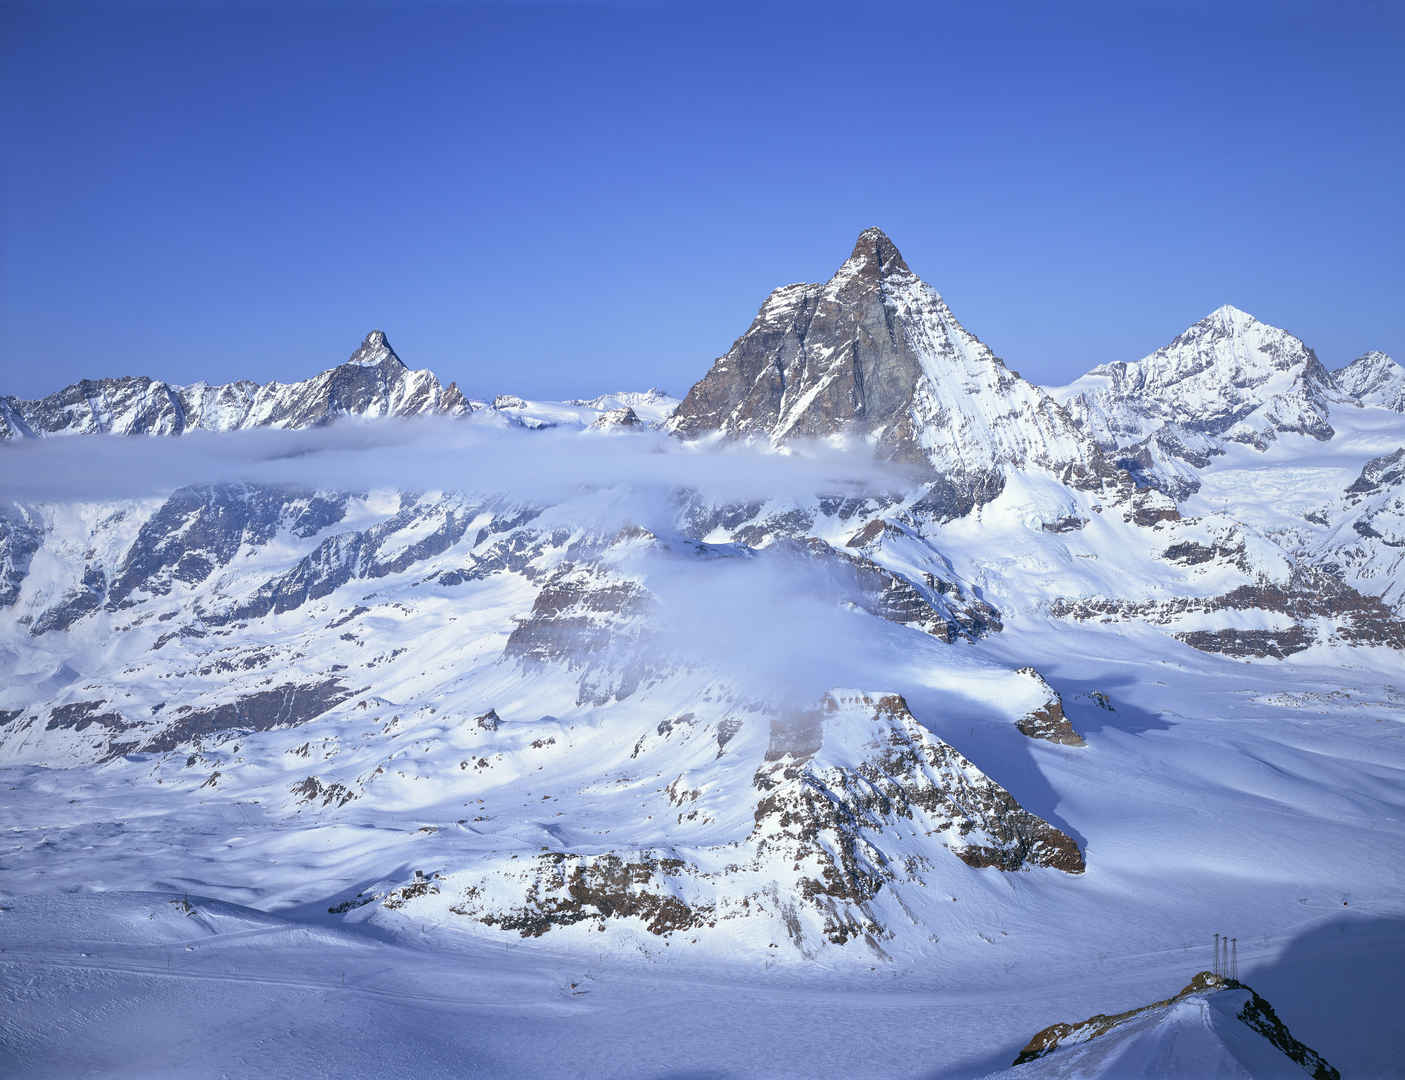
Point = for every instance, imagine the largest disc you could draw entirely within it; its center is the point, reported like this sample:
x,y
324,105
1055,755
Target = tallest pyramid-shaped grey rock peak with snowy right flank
x,y
876,355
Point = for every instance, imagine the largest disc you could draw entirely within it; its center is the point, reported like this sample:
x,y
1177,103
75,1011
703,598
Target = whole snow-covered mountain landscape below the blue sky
x,y
581,749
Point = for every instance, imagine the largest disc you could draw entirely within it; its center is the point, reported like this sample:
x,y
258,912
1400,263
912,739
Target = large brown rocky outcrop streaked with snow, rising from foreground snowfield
x,y
854,800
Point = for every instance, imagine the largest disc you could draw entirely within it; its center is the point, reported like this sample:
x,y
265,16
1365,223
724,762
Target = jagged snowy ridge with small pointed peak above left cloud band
x,y
374,383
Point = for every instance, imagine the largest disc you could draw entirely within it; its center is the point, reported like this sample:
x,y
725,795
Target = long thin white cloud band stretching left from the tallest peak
x,y
433,454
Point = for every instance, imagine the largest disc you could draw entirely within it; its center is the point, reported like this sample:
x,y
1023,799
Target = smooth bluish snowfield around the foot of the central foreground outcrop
x,y
1220,797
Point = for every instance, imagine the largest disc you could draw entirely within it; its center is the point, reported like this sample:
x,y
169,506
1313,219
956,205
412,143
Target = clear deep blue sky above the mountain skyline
x,y
566,200
